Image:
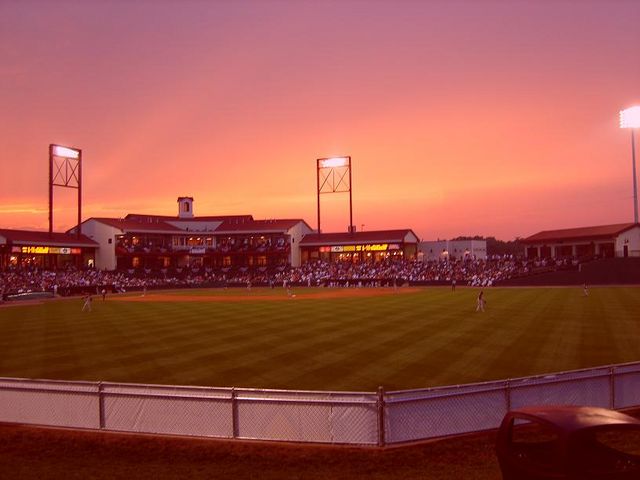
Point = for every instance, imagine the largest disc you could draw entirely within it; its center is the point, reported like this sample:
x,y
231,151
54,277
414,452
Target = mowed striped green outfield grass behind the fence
x,y
400,341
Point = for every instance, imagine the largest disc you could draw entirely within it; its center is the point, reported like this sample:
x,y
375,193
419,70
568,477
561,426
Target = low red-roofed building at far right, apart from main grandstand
x,y
604,241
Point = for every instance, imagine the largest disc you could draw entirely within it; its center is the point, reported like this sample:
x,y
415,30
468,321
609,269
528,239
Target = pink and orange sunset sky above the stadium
x,y
461,117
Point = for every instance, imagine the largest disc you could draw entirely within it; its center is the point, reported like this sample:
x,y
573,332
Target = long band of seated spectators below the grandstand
x,y
470,272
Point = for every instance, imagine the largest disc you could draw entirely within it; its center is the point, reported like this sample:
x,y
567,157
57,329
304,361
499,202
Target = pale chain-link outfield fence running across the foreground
x,y
373,418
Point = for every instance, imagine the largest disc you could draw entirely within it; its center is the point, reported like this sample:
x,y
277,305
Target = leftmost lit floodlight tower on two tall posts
x,y
65,170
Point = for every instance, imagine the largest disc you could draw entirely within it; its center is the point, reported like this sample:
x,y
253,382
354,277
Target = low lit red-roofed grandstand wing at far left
x,y
24,248
